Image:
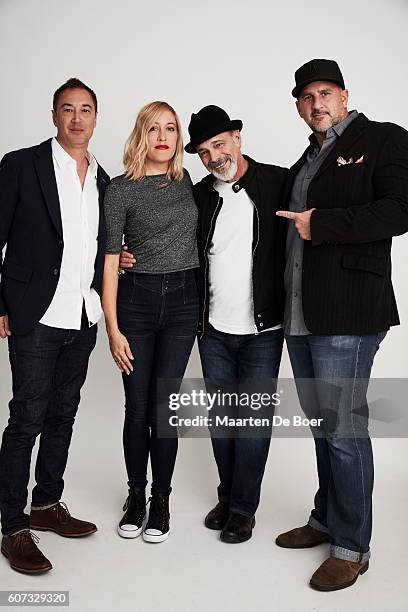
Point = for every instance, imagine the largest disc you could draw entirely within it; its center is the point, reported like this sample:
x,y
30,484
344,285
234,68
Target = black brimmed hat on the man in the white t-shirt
x,y
208,122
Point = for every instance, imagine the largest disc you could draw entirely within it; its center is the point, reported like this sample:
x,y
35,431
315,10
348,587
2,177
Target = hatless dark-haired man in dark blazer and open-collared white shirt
x,y
51,219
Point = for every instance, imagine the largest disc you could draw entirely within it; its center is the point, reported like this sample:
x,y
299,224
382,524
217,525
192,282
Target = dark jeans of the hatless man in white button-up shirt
x,y
49,367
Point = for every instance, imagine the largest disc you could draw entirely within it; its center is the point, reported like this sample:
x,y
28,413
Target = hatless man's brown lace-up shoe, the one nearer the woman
x,y
58,519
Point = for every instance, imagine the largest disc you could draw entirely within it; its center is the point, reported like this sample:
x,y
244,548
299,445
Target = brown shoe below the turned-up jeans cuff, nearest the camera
x,y
335,574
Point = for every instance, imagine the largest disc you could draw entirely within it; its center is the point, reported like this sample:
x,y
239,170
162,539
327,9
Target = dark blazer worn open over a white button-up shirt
x,y
31,226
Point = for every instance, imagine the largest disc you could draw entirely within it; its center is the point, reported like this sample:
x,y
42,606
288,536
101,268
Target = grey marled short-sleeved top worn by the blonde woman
x,y
158,220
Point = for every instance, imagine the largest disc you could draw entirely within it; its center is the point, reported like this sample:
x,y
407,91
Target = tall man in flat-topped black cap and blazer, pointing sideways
x,y
347,197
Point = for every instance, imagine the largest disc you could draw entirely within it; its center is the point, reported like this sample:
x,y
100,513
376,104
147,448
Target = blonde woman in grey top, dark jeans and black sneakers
x,y
151,311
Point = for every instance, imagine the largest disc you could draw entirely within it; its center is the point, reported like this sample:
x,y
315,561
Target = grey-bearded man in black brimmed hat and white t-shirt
x,y
241,247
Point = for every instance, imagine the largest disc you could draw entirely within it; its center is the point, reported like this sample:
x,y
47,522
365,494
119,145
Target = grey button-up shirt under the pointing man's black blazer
x,y
294,324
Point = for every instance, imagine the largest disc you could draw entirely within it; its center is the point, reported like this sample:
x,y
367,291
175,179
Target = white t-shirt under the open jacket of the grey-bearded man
x,y
231,307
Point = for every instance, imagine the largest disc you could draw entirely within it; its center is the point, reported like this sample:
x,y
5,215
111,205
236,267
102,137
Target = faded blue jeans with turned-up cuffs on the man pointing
x,y
332,375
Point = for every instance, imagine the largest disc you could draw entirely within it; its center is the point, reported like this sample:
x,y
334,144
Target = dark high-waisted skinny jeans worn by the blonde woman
x,y
158,314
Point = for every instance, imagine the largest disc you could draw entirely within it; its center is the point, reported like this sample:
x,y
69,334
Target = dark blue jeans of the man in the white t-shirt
x,y
241,362
